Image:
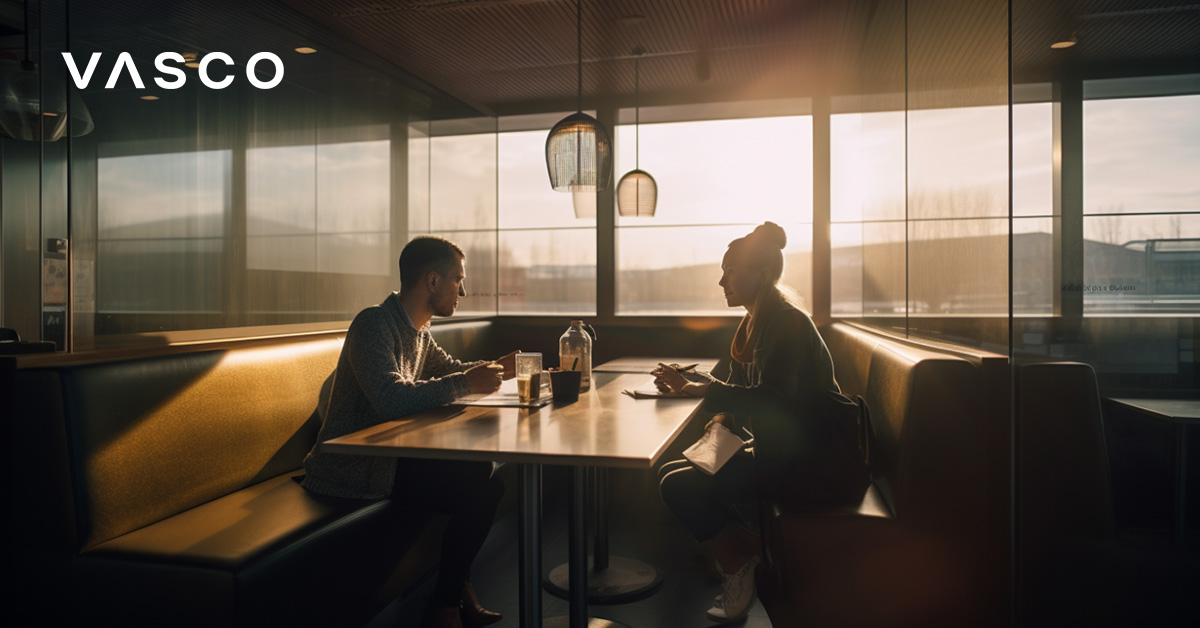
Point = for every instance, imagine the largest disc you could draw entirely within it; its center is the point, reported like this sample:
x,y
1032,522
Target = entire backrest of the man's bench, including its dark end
x,y
105,447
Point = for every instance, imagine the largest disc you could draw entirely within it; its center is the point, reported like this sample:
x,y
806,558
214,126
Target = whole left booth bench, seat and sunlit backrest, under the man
x,y
170,498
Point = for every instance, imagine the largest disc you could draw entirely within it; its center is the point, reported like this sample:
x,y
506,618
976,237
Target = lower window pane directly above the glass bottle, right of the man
x,y
549,272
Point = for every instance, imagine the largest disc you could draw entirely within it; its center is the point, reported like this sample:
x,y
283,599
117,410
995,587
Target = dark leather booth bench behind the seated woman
x,y
921,549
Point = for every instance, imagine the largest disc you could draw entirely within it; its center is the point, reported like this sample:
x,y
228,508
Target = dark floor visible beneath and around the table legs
x,y
640,529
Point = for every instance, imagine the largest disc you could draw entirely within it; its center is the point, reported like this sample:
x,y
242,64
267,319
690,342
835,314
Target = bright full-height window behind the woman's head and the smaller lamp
x,y
718,181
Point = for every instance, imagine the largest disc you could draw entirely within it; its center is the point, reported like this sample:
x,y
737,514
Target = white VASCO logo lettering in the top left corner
x,y
125,62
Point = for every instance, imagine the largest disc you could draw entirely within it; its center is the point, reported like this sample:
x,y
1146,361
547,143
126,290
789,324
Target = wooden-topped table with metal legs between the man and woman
x,y
603,429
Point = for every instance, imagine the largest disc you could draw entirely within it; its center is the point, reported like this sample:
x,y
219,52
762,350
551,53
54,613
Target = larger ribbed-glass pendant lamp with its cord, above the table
x,y
579,149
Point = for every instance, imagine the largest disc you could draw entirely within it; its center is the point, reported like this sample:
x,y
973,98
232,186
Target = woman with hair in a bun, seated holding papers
x,y
782,388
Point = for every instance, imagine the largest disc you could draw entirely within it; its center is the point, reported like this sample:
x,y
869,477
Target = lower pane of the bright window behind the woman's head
x,y
682,279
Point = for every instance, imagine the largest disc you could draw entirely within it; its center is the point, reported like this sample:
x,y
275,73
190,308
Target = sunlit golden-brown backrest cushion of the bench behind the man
x,y
157,436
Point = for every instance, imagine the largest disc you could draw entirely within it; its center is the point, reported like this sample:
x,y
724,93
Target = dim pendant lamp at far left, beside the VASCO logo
x,y
32,113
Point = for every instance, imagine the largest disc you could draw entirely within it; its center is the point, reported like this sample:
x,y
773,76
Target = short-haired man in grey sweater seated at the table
x,y
389,368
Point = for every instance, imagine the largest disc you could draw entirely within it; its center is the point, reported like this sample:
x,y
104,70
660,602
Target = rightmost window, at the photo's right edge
x,y
1142,202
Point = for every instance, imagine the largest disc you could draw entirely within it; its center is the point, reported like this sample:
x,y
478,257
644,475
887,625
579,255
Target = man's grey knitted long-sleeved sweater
x,y
388,369
